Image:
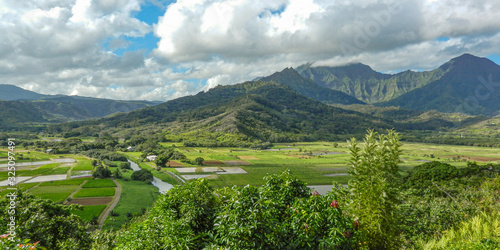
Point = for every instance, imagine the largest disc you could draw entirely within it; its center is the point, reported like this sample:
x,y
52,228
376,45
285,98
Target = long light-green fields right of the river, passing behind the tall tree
x,y
311,161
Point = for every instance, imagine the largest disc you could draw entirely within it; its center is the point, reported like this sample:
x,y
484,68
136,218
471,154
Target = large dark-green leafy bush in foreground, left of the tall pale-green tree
x,y
282,214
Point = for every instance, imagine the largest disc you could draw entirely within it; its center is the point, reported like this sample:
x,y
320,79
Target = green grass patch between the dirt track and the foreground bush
x,y
136,195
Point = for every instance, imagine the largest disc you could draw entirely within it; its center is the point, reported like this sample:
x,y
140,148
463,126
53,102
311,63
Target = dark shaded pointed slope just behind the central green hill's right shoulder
x,y
309,88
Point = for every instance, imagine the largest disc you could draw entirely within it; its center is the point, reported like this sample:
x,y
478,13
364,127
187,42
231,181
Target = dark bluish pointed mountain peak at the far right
x,y
470,85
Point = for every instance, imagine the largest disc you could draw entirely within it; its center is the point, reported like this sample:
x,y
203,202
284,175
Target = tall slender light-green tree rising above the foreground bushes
x,y
373,188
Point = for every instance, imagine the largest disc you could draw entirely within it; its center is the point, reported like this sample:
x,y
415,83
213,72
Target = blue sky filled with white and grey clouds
x,y
161,50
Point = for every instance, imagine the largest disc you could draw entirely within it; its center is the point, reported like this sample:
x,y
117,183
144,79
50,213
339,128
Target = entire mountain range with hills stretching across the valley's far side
x,y
290,105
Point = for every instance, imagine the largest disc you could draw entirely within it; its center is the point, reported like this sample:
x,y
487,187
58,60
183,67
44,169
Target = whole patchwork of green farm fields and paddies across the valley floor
x,y
316,163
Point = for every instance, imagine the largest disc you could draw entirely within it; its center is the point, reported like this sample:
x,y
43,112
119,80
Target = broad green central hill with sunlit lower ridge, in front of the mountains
x,y
251,111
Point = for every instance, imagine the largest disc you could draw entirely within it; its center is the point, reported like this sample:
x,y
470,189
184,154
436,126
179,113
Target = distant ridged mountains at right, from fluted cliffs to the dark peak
x,y
466,84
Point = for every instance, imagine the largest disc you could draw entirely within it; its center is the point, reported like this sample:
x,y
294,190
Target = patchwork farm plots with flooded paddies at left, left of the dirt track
x,y
50,180
